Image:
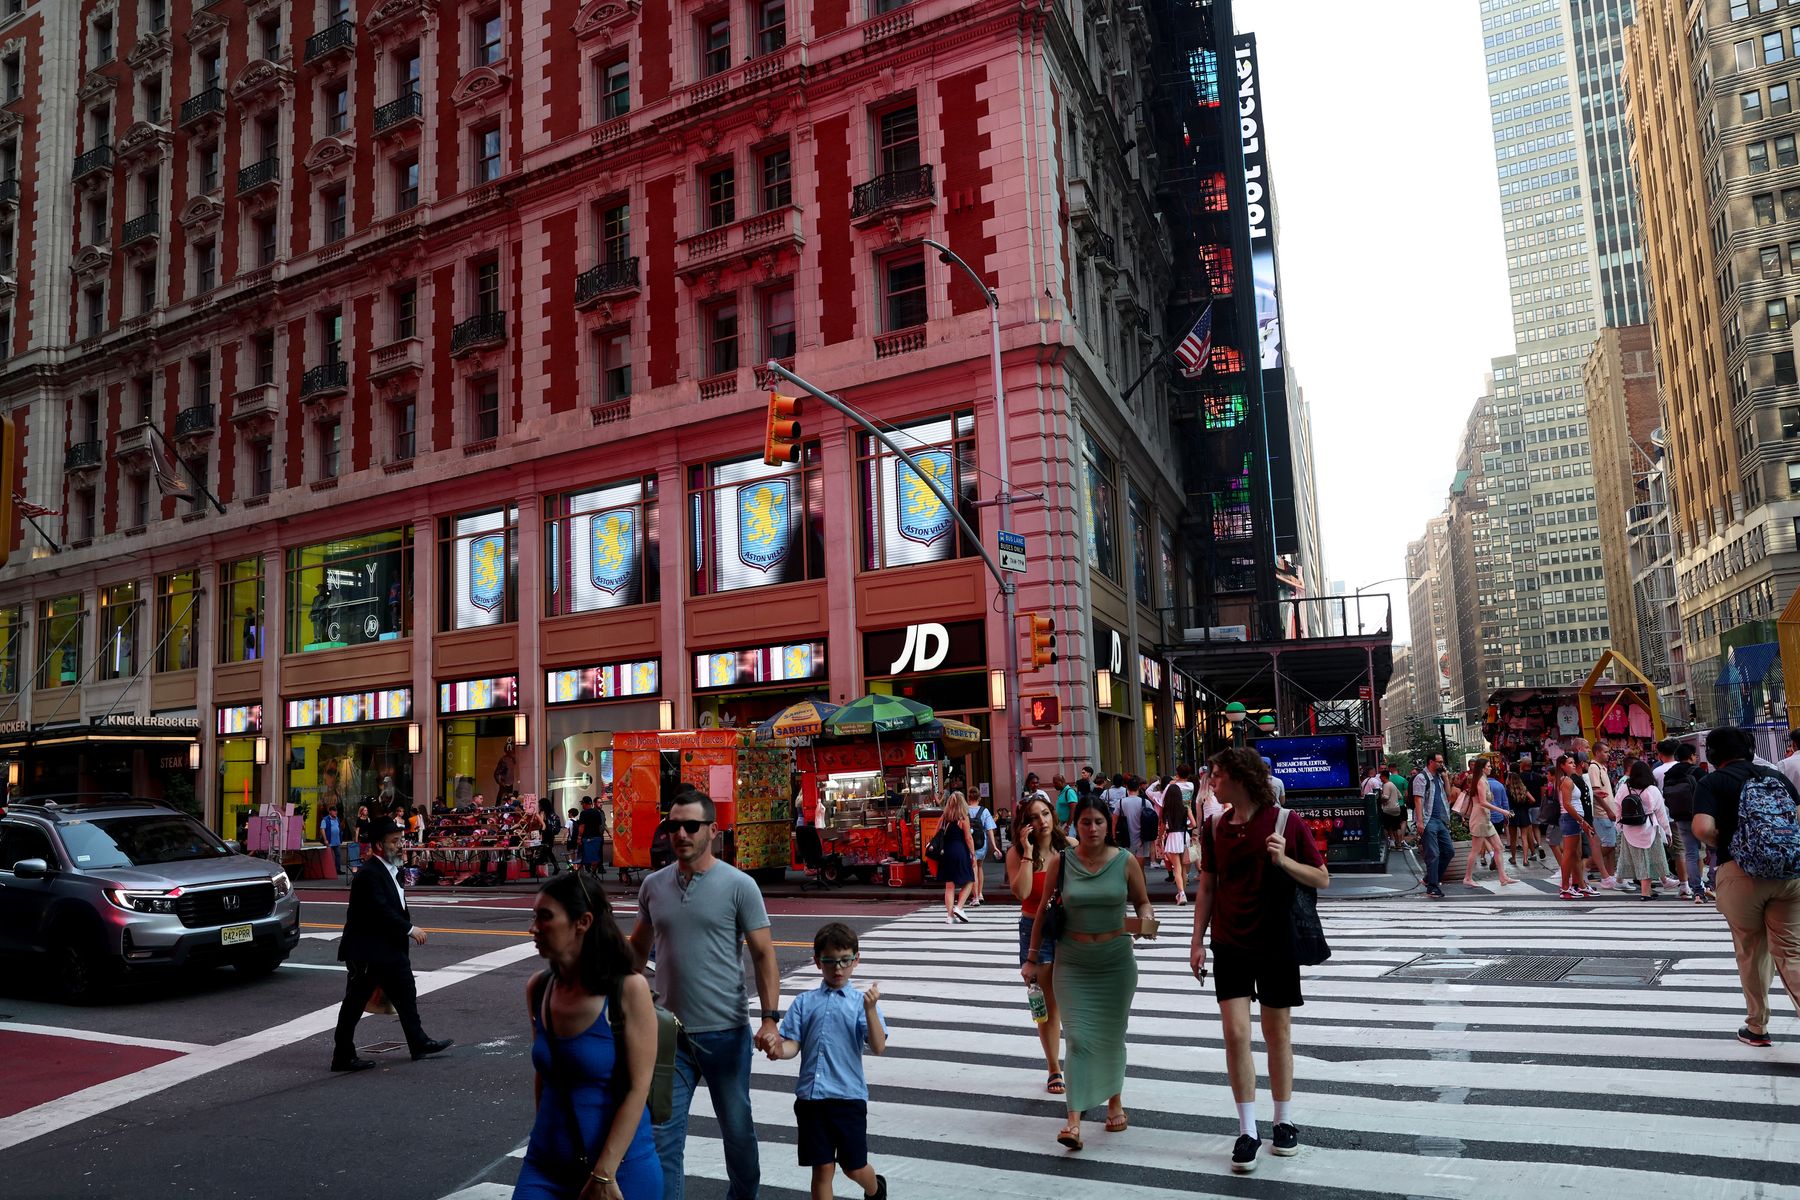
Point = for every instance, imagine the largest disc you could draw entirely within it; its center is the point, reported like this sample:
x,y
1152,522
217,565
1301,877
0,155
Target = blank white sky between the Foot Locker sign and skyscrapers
x,y
1394,273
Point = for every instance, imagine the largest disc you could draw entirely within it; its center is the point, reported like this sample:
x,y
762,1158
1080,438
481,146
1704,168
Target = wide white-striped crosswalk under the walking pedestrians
x,y
1408,1086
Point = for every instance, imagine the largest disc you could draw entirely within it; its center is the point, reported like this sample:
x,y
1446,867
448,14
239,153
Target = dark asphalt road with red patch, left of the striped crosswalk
x,y
213,1086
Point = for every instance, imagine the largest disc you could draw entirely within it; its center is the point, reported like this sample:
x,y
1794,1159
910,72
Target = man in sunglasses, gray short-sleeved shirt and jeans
x,y
697,913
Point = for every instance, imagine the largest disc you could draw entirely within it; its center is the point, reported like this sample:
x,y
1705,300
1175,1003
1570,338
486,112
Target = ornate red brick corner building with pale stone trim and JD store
x,y
458,309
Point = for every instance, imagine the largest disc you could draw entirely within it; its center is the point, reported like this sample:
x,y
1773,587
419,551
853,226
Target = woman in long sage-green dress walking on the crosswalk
x,y
1095,969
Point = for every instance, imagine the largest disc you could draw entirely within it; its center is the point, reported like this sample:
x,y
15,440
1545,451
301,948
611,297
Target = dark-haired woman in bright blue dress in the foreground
x,y
593,1136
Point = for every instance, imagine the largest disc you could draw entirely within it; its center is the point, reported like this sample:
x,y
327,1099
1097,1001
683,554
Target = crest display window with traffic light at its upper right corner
x,y
755,524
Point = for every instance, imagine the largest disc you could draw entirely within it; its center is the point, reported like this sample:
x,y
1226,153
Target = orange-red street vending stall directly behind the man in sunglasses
x,y
750,782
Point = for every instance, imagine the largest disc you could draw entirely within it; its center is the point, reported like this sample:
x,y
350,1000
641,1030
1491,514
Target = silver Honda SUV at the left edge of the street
x,y
100,888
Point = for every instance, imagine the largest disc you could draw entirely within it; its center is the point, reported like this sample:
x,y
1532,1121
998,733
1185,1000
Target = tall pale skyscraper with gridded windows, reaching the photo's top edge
x,y
1574,264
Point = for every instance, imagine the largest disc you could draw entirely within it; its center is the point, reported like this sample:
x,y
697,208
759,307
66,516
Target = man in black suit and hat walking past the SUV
x,y
375,951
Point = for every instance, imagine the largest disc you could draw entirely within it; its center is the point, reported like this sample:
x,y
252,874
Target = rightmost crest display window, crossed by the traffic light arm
x,y
904,523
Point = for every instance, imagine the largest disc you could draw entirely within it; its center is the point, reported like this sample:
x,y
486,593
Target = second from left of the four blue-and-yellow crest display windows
x,y
602,548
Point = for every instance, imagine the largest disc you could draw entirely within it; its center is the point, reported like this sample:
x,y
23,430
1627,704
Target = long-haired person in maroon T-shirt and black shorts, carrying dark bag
x,y
1248,873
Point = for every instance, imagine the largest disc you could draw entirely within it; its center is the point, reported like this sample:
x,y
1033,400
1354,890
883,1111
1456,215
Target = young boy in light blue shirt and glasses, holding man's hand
x,y
827,1028
